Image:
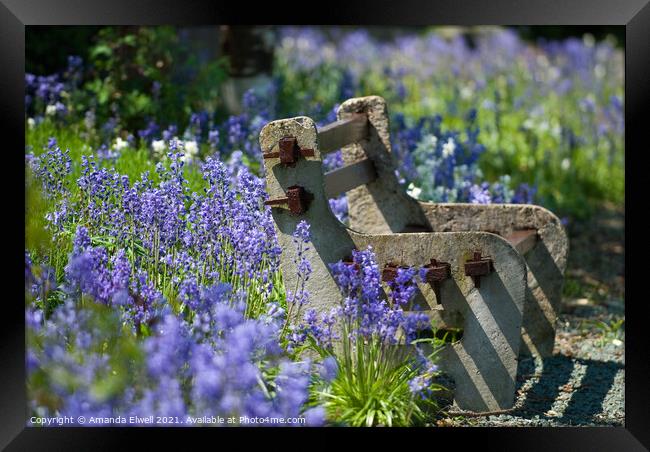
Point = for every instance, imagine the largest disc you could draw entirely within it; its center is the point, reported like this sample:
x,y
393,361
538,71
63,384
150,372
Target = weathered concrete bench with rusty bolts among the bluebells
x,y
496,270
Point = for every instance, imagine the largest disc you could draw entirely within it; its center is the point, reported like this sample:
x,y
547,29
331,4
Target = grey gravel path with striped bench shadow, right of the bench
x,y
583,383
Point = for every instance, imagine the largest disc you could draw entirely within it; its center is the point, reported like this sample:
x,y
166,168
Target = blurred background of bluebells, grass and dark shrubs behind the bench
x,y
547,100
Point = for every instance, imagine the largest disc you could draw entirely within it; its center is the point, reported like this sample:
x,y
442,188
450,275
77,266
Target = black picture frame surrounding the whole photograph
x,y
634,15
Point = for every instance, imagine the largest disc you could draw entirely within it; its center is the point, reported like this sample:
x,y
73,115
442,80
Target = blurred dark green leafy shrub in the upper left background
x,y
136,73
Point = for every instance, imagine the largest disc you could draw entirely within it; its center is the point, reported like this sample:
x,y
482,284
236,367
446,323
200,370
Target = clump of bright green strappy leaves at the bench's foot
x,y
372,388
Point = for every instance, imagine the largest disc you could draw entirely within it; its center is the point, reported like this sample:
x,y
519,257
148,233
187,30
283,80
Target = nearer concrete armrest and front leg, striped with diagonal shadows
x,y
484,362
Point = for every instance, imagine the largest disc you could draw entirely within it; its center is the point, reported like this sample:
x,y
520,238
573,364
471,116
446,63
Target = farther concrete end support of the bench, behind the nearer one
x,y
383,207
